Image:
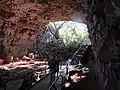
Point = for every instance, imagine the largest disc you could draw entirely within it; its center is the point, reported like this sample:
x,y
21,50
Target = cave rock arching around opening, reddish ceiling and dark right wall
x,y
101,17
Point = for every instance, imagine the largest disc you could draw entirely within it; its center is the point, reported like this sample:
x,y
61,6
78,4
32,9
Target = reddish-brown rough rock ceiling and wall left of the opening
x,y
21,20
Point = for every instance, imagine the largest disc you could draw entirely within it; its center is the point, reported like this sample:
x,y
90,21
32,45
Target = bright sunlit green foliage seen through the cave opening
x,y
71,33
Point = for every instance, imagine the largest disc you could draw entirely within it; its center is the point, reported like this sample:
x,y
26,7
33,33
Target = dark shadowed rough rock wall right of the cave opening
x,y
102,18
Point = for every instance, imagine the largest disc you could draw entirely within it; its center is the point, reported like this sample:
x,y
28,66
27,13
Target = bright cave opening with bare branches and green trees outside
x,y
63,38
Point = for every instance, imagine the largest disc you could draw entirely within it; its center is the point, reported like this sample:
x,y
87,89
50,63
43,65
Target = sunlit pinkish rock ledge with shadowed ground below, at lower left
x,y
22,74
